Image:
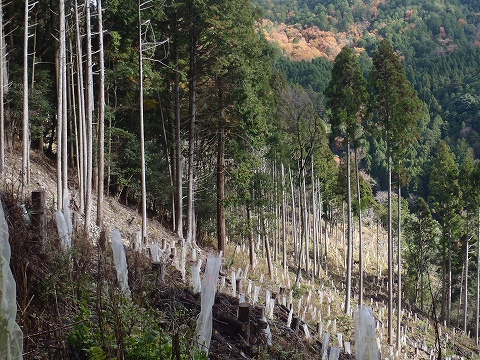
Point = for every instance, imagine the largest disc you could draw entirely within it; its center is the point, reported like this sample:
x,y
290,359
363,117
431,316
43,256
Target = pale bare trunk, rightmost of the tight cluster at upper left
x,y
101,118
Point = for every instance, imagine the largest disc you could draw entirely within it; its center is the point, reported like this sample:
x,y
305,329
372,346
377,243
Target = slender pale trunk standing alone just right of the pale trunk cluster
x,y
142,136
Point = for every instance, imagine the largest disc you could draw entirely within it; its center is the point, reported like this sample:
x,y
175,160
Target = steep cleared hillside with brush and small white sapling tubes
x,y
70,305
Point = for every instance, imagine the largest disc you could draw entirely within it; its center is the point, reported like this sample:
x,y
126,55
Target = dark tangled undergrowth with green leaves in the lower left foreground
x,y
70,304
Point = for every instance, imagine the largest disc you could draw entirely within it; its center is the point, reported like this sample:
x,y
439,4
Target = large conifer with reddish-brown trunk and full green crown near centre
x,y
236,64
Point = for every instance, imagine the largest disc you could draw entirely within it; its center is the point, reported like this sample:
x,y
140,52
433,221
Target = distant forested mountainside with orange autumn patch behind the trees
x,y
438,42
